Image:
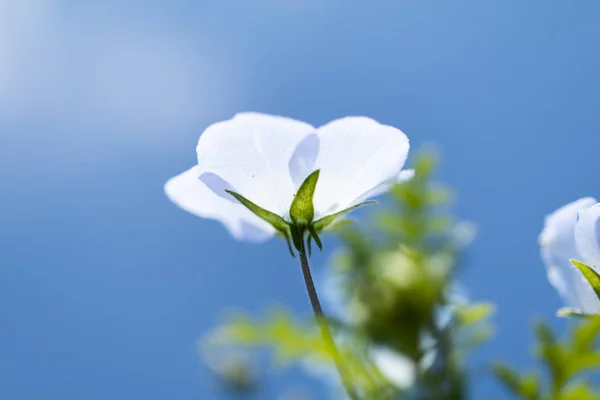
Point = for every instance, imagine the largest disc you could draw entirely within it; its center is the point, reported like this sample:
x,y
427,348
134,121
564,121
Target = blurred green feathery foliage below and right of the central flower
x,y
395,279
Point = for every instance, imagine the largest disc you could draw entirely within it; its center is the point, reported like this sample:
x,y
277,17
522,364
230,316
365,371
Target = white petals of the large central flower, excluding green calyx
x,y
266,158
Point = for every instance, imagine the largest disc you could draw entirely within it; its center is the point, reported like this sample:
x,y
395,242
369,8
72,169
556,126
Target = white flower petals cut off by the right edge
x,y
572,232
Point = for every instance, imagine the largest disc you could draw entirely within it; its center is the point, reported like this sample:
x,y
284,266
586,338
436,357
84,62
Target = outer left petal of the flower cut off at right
x,y
557,248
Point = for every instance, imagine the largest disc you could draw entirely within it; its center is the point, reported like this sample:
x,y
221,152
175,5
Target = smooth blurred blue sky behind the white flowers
x,y
105,285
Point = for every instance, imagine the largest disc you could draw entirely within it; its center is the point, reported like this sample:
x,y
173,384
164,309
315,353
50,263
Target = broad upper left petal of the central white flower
x,y
252,153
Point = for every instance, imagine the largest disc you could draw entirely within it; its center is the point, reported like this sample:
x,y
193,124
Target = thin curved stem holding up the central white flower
x,y
323,324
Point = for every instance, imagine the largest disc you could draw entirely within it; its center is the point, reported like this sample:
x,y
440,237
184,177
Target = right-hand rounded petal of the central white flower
x,y
356,156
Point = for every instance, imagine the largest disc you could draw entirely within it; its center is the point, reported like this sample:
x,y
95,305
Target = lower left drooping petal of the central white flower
x,y
193,195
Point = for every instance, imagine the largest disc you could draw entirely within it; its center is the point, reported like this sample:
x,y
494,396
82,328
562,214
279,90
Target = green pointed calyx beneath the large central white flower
x,y
302,228
